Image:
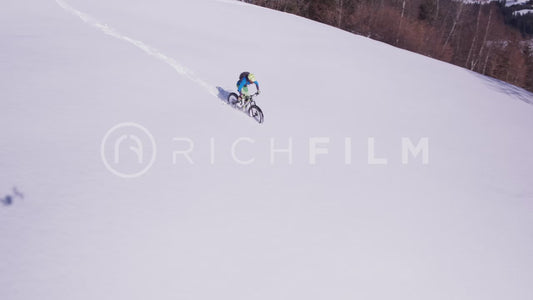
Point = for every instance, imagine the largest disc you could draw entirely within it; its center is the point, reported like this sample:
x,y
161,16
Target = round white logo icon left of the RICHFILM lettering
x,y
128,150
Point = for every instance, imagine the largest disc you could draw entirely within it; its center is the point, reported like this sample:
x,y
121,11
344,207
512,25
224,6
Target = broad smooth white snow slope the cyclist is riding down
x,y
243,221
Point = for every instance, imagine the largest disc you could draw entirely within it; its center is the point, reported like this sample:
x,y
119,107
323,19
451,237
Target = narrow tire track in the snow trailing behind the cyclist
x,y
139,44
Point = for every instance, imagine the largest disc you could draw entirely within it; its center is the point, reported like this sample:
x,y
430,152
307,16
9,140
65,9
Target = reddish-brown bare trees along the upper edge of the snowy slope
x,y
471,35
